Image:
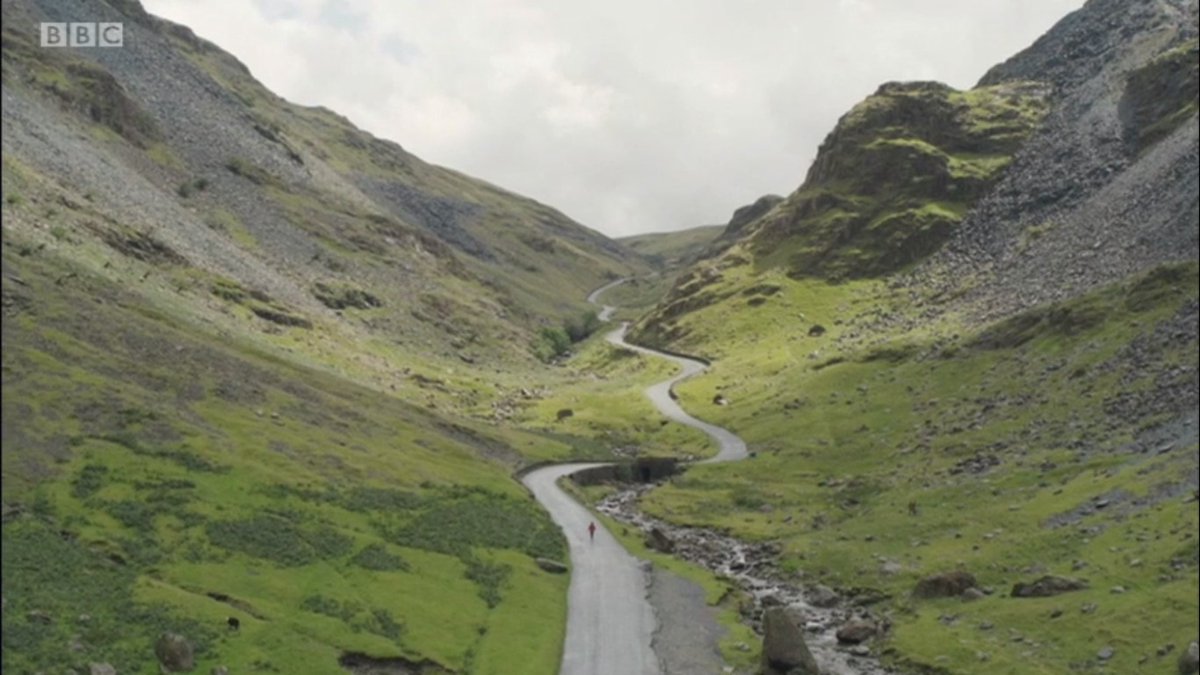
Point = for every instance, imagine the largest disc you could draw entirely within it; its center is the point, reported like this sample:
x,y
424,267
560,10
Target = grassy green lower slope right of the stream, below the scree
x,y
995,435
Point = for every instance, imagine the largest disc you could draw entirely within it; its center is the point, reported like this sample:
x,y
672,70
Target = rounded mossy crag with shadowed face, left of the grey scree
x,y
891,183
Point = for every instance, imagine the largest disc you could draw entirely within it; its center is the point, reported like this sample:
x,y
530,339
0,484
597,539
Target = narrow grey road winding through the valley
x,y
610,623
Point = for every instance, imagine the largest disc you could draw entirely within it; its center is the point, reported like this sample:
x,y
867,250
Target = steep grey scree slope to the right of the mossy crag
x,y
1107,187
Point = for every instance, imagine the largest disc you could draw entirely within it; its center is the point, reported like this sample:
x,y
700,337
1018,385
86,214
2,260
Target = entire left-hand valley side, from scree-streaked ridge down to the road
x,y
241,338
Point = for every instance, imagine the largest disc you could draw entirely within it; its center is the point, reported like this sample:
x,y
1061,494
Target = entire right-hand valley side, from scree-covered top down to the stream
x,y
980,401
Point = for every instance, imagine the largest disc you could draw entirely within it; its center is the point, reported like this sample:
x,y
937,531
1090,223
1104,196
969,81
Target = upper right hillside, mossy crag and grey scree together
x,y
1042,188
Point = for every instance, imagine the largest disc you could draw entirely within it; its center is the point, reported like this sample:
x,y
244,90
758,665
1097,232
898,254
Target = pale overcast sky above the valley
x,y
629,116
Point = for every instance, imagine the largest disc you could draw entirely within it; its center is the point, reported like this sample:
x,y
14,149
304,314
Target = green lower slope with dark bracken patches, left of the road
x,y
194,477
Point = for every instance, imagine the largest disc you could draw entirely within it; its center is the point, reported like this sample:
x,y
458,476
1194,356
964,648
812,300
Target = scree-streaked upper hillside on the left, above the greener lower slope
x,y
172,141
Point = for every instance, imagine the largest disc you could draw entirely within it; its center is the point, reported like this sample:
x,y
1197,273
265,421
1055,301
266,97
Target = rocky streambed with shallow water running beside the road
x,y
838,634
